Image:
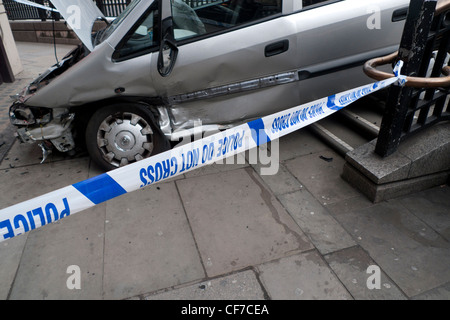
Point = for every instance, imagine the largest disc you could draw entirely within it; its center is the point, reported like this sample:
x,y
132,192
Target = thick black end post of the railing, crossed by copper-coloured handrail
x,y
414,38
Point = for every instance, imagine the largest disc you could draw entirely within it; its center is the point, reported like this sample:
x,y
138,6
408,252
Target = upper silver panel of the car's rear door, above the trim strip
x,y
343,31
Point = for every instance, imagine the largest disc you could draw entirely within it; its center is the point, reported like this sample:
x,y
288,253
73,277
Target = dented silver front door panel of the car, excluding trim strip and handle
x,y
231,58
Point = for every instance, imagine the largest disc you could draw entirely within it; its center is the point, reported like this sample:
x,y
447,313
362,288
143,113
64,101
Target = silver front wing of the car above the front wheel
x,y
95,79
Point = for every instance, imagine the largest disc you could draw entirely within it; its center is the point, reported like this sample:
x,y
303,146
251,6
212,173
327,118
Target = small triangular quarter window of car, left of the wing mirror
x,y
141,38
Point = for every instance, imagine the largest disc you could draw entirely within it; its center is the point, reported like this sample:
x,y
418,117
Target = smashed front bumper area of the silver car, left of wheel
x,y
44,124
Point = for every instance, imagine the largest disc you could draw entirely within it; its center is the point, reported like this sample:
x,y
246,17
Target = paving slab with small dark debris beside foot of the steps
x,y
322,177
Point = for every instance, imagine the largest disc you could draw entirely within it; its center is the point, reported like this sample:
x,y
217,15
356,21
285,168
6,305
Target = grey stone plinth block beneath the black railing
x,y
421,162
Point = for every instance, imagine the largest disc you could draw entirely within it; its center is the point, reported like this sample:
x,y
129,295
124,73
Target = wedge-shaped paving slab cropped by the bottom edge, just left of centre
x,y
238,286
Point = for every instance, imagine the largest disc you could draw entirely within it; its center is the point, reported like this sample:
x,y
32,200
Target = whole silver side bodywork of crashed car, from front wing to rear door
x,y
319,39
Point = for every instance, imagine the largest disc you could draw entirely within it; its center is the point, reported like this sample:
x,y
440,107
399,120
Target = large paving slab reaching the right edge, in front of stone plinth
x,y
412,254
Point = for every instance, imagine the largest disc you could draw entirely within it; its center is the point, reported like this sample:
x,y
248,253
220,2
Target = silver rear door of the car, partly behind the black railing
x,y
335,38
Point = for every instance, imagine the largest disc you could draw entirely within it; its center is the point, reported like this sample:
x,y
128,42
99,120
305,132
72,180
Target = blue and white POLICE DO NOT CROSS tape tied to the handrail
x,y
53,206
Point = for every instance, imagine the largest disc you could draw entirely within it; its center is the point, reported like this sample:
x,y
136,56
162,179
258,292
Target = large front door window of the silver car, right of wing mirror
x,y
193,18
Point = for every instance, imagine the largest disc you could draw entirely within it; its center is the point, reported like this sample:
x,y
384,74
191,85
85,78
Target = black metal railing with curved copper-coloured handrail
x,y
424,101
